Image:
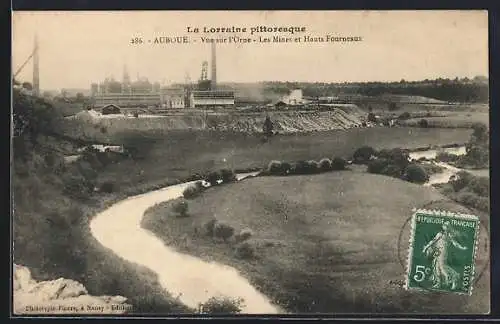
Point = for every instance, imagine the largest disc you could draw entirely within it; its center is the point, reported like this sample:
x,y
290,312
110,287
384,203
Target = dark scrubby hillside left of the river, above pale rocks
x,y
52,205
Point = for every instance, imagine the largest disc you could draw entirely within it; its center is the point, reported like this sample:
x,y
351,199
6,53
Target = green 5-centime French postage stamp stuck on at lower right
x,y
442,251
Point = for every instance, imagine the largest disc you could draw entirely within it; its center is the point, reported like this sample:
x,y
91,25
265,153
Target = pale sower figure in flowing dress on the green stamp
x,y
438,249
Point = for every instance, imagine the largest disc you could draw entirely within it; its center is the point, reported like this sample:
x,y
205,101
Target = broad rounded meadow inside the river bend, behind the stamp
x,y
324,243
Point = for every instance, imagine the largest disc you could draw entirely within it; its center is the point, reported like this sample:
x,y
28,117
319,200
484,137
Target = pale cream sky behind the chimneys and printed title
x,y
78,48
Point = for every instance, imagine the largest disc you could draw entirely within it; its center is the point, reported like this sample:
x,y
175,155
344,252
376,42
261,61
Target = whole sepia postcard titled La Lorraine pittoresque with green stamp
x,y
251,162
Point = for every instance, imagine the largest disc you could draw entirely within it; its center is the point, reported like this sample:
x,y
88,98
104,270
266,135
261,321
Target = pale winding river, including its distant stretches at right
x,y
193,280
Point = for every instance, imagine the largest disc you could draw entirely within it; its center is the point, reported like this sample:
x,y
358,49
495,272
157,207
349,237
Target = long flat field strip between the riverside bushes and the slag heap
x,y
182,153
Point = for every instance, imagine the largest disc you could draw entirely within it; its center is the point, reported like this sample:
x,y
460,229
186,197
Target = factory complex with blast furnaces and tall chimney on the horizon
x,y
143,93
